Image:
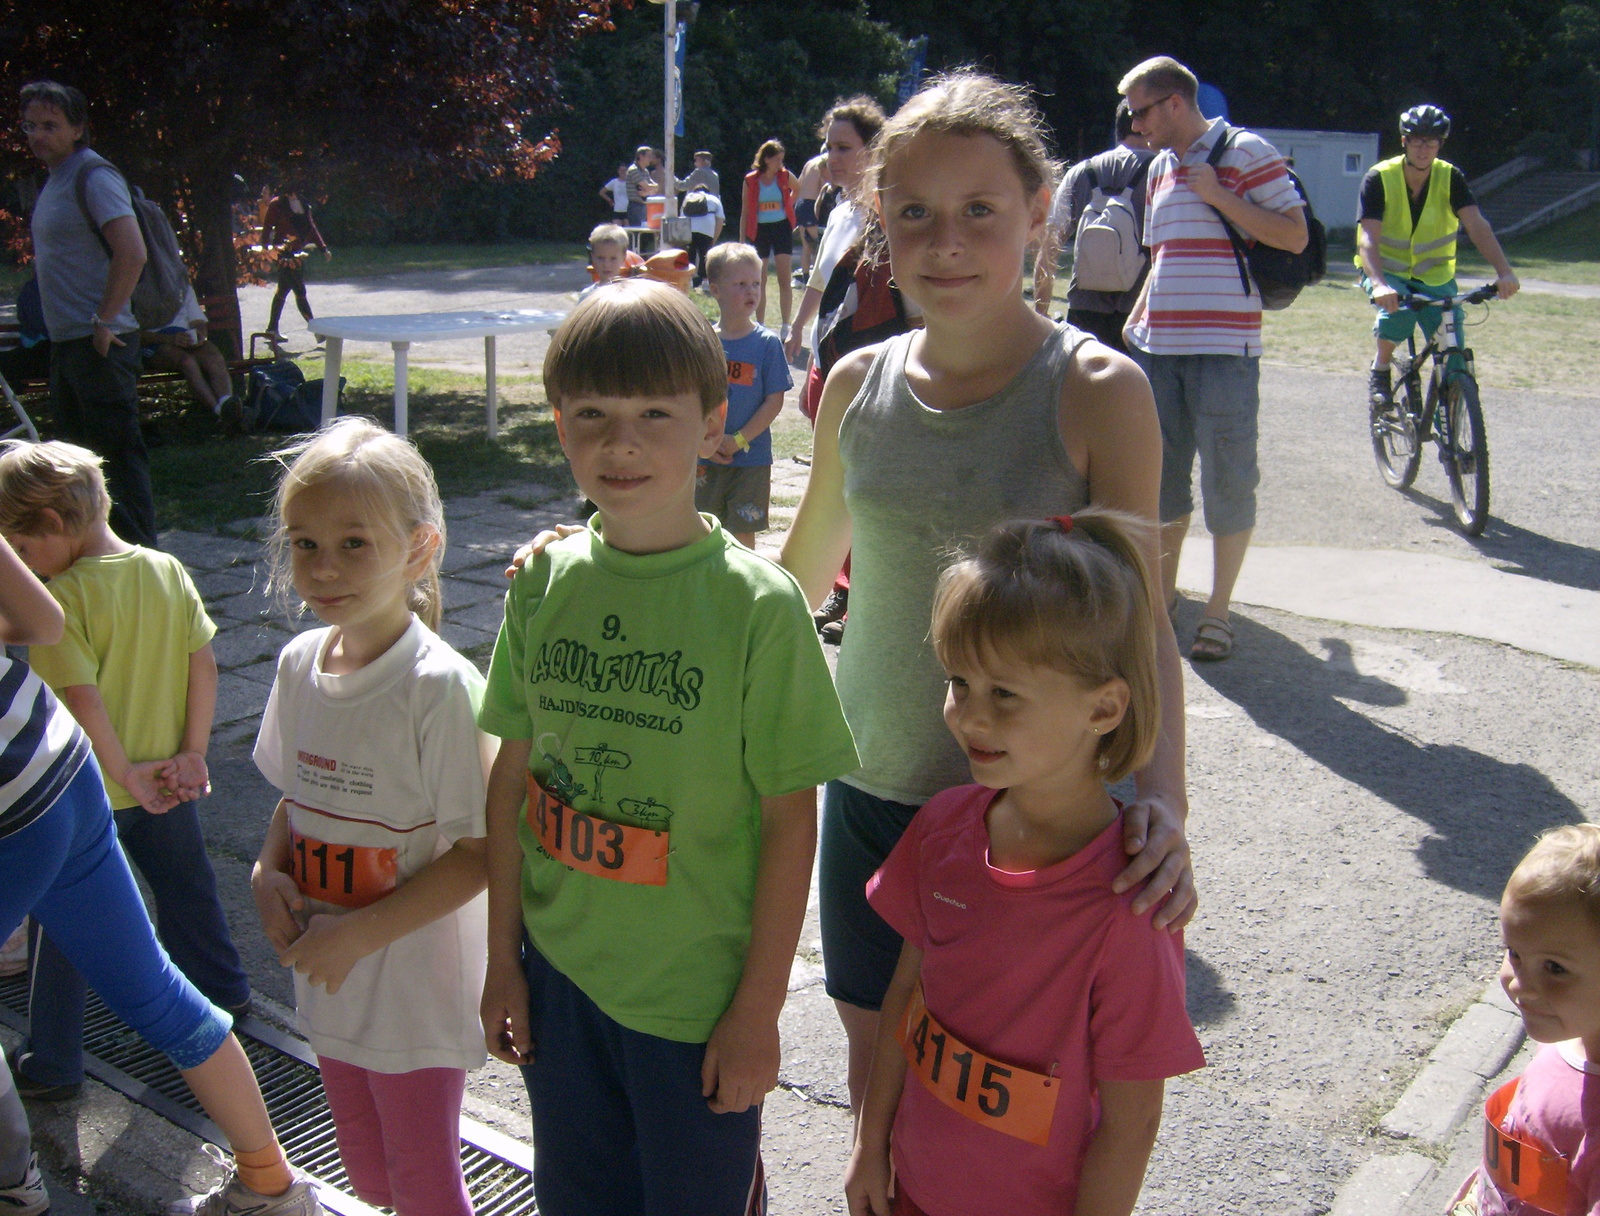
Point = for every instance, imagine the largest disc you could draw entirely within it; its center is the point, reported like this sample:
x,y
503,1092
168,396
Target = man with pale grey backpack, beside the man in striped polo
x,y
1100,209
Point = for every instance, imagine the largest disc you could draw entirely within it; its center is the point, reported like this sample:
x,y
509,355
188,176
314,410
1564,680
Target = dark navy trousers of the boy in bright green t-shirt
x,y
620,1126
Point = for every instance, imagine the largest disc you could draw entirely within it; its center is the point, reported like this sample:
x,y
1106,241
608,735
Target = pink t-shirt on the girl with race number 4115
x,y
1047,970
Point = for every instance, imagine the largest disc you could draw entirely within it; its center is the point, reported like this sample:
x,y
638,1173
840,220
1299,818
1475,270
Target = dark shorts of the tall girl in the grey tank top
x,y
860,951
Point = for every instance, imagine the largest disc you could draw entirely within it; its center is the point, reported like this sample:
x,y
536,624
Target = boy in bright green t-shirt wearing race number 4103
x,y
666,716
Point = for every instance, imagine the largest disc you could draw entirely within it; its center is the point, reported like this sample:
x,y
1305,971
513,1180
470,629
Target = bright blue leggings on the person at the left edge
x,y
68,871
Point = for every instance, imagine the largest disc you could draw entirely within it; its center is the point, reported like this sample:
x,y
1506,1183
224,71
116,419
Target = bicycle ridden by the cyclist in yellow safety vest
x,y
1412,418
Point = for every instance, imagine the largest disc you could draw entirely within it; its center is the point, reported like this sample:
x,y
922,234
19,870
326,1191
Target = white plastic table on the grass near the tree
x,y
422,327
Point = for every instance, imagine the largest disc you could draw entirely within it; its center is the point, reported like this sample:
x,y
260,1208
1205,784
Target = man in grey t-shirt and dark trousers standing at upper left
x,y
89,257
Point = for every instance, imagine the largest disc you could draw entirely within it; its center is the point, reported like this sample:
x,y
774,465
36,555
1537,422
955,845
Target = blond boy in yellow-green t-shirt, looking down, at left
x,y
135,666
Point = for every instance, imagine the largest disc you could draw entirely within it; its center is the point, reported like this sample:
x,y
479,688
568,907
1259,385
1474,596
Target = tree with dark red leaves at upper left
x,y
394,94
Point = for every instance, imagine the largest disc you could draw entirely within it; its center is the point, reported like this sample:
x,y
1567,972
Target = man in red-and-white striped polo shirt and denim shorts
x,y
1198,327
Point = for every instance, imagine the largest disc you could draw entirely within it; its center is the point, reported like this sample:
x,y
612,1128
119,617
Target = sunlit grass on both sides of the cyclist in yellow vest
x,y
1529,343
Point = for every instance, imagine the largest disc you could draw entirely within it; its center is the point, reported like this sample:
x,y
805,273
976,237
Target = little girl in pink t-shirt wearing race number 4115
x,y
1039,1014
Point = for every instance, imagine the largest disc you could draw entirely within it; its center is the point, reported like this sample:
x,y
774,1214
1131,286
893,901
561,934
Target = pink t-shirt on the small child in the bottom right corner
x,y
1558,1105
